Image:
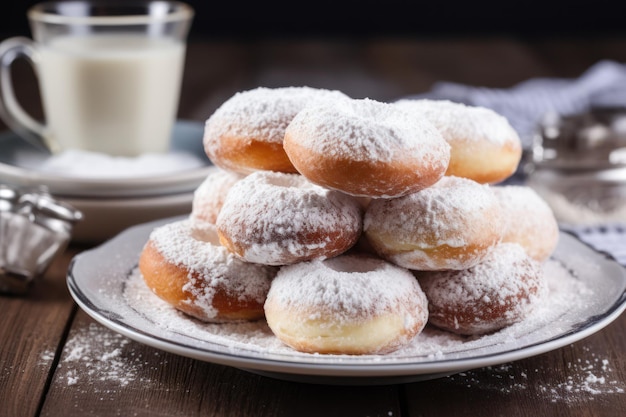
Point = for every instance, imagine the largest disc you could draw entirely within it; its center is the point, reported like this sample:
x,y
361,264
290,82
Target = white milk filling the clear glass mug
x,y
111,93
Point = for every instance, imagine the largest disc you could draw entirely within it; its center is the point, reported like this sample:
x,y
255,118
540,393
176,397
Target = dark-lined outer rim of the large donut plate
x,y
373,371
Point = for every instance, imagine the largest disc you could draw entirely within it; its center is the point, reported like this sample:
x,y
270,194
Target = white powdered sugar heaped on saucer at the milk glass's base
x,y
85,164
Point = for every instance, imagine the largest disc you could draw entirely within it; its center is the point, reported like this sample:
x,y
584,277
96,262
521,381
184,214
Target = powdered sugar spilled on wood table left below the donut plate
x,y
94,354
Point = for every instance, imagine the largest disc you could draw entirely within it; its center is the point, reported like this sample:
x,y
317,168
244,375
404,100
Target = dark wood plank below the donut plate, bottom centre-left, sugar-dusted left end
x,y
103,373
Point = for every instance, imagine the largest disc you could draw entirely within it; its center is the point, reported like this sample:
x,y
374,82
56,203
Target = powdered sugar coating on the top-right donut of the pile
x,y
458,121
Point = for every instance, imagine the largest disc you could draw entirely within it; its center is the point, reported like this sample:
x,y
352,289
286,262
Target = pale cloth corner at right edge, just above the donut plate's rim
x,y
610,239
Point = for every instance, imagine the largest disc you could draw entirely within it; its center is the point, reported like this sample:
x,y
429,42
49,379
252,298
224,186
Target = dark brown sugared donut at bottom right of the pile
x,y
500,291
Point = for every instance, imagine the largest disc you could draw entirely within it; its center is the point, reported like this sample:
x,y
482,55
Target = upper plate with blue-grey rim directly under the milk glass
x,y
19,161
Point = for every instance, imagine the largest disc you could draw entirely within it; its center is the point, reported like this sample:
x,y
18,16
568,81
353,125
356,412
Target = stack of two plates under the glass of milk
x,y
114,201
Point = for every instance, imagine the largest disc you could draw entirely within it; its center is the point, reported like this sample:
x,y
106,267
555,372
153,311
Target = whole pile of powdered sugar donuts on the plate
x,y
350,224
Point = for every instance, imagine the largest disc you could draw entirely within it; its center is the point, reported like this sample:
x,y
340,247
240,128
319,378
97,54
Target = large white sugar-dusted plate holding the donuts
x,y
591,288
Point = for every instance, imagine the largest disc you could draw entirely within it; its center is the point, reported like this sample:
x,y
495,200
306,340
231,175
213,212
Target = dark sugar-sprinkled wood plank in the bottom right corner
x,y
587,378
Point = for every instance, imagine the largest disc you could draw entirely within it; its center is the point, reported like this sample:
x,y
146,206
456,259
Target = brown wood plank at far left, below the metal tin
x,y
31,333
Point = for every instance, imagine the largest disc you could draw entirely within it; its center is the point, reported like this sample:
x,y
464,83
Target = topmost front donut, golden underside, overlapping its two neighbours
x,y
366,148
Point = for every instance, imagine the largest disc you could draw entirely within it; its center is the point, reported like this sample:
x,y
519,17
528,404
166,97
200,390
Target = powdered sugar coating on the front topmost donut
x,y
367,130
